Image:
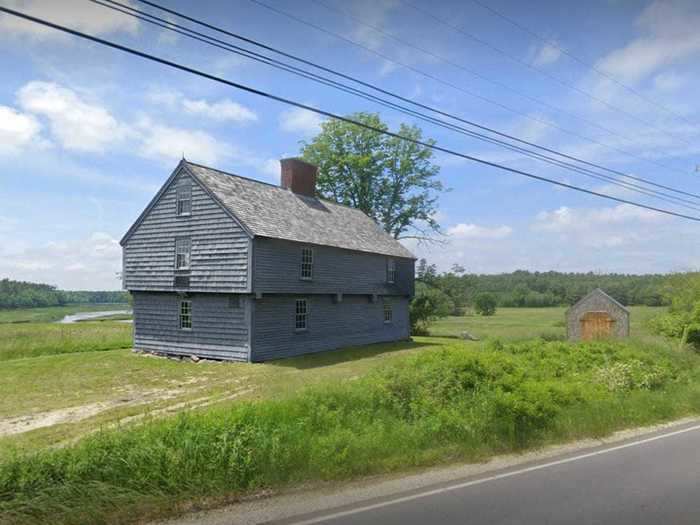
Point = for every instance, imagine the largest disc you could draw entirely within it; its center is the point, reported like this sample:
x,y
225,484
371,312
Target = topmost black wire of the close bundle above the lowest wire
x,y
383,91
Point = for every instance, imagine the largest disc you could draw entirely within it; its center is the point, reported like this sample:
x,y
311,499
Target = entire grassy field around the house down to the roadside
x,y
337,415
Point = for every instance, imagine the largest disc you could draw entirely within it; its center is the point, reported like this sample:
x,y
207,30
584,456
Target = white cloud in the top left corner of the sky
x,y
77,14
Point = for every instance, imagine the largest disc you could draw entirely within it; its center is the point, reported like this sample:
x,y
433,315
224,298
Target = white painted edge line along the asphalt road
x,y
479,481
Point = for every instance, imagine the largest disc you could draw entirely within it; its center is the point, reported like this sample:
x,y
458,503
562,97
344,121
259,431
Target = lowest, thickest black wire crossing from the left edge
x,y
328,114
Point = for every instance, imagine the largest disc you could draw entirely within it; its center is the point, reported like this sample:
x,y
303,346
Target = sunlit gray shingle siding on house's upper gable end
x,y
220,247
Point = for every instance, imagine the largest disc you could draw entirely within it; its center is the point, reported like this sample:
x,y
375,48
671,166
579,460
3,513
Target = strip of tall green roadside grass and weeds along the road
x,y
454,404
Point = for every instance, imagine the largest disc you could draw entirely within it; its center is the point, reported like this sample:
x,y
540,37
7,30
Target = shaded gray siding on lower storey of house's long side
x,y
354,321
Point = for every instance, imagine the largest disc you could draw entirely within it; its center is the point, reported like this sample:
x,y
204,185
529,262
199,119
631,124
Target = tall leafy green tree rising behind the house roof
x,y
391,180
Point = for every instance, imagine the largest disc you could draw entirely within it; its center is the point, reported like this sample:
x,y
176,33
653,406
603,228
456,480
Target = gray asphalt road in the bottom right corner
x,y
653,479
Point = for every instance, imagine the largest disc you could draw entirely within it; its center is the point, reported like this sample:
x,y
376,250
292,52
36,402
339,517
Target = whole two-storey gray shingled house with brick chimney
x,y
225,267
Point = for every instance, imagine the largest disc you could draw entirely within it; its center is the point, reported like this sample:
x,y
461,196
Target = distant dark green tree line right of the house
x,y
537,289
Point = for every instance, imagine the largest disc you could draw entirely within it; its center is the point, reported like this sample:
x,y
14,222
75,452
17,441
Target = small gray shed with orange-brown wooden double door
x,y
597,316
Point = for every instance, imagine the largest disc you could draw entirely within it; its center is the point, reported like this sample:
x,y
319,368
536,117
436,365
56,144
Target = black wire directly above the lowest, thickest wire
x,y
170,25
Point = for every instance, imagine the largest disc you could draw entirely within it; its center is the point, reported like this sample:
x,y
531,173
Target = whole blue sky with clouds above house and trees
x,y
88,135
